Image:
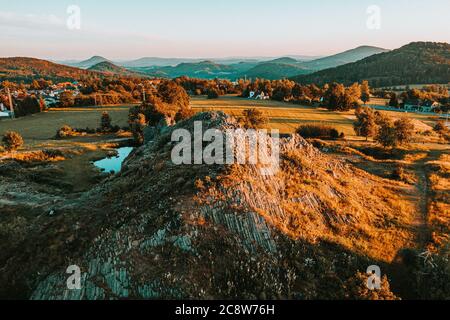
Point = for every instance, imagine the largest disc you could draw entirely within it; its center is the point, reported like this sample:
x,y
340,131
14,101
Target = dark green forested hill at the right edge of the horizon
x,y
417,62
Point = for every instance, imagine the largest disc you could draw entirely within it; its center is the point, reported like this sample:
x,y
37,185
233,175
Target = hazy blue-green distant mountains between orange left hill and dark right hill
x,y
232,68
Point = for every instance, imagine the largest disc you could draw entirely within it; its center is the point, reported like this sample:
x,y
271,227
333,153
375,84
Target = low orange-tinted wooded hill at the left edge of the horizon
x,y
27,69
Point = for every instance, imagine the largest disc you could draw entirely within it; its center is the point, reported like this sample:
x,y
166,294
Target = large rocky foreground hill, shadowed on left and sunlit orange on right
x,y
157,230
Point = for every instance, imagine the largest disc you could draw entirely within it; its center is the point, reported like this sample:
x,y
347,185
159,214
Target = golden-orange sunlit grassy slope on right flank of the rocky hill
x,y
322,199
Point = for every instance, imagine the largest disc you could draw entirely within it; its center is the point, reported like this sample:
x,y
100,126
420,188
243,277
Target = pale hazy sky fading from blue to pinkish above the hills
x,y
214,28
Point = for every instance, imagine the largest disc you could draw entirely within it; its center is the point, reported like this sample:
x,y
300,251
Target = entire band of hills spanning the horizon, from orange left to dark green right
x,y
419,62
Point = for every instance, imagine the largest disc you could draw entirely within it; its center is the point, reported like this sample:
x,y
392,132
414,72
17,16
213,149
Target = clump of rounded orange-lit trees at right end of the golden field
x,y
384,129
